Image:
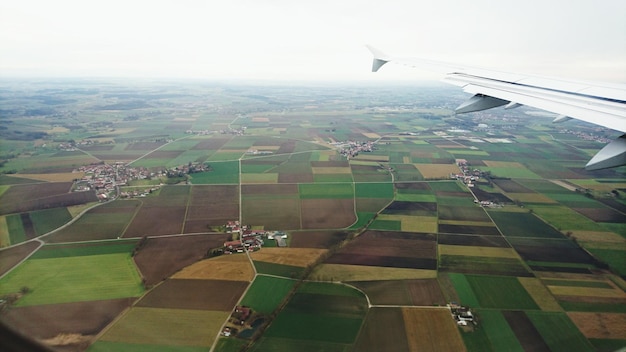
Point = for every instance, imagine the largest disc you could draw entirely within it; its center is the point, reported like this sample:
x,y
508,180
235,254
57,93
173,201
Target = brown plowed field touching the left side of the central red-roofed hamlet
x,y
161,257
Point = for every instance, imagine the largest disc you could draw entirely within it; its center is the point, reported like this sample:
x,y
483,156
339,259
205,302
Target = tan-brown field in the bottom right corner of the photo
x,y
600,325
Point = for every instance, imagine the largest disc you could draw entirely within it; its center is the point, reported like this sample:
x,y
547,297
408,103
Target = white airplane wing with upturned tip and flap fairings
x,y
603,104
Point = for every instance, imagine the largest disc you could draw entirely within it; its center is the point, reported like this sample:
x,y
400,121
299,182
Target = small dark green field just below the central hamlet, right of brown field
x,y
266,293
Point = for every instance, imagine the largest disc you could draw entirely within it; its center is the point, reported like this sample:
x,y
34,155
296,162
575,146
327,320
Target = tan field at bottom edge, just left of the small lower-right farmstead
x,y
431,329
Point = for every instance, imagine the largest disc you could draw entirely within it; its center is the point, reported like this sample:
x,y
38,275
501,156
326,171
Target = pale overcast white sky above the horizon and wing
x,y
304,40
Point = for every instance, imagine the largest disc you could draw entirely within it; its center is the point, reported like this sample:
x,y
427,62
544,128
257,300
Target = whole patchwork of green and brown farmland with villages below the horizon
x,y
371,214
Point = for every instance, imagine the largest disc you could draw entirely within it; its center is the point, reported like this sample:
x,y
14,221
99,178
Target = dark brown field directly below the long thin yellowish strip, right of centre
x,y
421,292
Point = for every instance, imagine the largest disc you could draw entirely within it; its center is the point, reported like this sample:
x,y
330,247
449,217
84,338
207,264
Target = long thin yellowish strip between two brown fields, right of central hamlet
x,y
342,272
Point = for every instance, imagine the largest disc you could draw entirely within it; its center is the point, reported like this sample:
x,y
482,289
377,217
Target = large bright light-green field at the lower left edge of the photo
x,y
74,279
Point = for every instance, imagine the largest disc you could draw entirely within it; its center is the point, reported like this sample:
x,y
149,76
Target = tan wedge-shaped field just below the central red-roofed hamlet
x,y
235,267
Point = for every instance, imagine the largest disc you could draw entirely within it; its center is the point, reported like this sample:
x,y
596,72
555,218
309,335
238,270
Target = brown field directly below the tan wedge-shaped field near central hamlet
x,y
221,295
